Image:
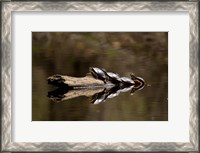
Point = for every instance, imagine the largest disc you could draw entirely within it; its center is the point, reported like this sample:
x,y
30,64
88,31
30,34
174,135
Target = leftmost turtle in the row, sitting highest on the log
x,y
98,73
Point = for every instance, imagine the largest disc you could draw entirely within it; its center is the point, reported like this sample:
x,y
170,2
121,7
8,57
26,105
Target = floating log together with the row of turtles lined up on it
x,y
96,78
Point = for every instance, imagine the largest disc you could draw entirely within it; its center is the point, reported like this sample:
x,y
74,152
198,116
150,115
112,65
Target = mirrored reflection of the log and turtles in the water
x,y
96,95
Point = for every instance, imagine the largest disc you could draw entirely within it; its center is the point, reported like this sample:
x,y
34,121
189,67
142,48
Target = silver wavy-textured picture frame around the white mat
x,y
7,121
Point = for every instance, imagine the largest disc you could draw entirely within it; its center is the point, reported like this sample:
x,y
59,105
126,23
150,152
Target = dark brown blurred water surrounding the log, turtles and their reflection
x,y
143,53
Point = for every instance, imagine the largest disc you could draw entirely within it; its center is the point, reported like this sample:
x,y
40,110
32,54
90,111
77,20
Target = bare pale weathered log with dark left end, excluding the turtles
x,y
87,81
